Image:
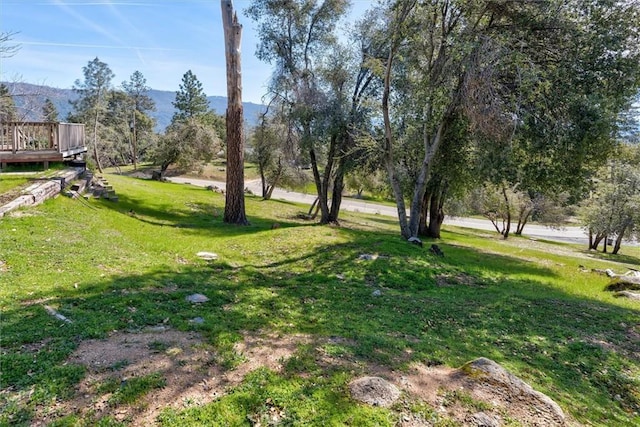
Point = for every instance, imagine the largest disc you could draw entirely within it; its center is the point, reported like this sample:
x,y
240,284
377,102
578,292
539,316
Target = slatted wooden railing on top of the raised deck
x,y
41,136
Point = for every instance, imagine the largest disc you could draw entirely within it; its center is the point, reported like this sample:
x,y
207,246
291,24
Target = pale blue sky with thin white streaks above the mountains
x,y
160,38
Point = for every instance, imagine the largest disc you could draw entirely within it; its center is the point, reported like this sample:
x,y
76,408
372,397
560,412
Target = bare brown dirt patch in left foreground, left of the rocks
x,y
185,362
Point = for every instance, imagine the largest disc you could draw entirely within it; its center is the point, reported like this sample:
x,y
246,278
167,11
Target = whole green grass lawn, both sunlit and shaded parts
x,y
524,304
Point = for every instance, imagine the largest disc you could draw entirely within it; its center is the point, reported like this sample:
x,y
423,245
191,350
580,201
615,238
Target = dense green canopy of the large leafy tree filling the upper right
x,y
541,86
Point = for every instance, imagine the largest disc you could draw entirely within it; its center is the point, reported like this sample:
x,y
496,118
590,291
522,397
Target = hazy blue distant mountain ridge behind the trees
x,y
29,98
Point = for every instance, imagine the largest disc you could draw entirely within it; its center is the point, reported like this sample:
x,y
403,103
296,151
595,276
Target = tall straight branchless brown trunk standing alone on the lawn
x,y
234,210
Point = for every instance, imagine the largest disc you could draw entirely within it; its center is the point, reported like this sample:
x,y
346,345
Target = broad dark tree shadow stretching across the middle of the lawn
x,y
402,306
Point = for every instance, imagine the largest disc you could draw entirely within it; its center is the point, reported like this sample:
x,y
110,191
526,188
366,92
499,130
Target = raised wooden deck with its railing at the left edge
x,y
22,142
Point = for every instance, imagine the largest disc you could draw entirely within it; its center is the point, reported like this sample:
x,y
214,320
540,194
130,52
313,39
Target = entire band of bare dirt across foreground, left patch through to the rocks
x,y
192,377
